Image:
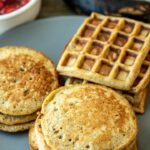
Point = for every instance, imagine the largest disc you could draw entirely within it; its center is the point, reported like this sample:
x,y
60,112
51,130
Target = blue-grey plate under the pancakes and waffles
x,y
50,36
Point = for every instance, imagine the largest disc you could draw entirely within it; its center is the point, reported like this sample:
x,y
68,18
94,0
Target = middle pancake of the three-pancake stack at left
x,y
12,120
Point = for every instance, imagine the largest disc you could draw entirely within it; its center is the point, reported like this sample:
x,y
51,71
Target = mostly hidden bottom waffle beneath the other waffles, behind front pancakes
x,y
136,100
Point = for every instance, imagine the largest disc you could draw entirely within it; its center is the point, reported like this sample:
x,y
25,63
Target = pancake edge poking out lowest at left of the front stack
x,y
32,139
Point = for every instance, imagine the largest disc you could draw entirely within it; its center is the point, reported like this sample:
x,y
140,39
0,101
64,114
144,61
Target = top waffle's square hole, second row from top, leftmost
x,y
87,31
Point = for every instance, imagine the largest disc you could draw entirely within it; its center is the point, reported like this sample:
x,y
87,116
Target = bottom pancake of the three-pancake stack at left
x,y
16,128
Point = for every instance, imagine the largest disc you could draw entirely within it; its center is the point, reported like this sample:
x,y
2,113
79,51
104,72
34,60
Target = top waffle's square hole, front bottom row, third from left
x,y
105,69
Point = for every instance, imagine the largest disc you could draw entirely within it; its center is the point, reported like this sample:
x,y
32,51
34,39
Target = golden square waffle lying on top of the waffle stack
x,y
109,51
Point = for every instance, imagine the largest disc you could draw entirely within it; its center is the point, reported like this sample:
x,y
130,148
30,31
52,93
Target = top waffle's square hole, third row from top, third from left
x,y
113,54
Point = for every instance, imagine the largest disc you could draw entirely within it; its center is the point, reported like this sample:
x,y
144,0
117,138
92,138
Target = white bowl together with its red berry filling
x,y
16,12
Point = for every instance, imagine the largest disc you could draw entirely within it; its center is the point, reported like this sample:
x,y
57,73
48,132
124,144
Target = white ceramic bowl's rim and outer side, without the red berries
x,y
24,14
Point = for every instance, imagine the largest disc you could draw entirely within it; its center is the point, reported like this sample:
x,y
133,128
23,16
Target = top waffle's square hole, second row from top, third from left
x,y
120,40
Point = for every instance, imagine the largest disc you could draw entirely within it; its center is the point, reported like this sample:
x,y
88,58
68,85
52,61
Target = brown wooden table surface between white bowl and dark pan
x,y
54,8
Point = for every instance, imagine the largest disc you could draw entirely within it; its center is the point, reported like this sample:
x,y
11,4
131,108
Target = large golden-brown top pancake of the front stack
x,y
88,117
